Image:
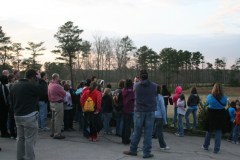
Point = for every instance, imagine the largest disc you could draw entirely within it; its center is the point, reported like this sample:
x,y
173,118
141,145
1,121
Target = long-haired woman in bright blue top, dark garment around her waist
x,y
216,117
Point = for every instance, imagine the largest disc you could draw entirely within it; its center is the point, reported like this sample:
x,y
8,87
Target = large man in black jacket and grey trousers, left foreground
x,y
24,98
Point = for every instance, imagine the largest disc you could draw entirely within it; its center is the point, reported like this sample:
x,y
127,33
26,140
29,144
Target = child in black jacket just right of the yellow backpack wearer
x,y
107,109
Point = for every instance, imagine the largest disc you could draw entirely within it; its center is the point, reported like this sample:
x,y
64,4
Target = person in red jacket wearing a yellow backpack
x,y
91,98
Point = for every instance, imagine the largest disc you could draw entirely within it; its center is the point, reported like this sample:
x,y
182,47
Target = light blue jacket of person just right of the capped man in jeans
x,y
161,111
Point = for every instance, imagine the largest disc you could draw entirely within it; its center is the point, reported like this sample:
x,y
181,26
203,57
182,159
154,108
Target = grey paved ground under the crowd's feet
x,y
109,147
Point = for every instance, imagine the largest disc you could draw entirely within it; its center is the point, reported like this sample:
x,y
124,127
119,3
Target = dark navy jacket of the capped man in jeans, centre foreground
x,y
145,96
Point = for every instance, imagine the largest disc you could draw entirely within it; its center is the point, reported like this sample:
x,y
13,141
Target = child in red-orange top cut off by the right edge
x,y
236,130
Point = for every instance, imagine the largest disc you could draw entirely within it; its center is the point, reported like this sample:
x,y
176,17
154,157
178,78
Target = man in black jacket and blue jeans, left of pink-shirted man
x,y
42,103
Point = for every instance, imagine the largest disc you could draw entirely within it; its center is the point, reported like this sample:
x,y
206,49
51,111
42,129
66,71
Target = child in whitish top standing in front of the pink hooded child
x,y
181,104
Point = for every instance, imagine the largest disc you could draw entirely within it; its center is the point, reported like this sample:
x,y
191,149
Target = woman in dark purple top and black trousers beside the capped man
x,y
128,109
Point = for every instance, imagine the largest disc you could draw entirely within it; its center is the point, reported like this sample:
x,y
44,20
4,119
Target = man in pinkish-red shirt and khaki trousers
x,y
56,96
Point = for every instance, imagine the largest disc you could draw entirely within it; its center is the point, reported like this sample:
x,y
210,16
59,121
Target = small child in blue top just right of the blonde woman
x,y
232,114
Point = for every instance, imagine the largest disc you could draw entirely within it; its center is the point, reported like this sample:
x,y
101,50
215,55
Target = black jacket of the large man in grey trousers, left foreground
x,y
24,96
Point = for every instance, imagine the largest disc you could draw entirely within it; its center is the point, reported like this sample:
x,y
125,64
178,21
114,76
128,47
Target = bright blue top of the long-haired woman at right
x,y
213,103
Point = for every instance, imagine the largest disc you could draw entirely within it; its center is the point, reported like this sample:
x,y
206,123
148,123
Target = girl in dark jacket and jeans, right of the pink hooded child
x,y
192,103
